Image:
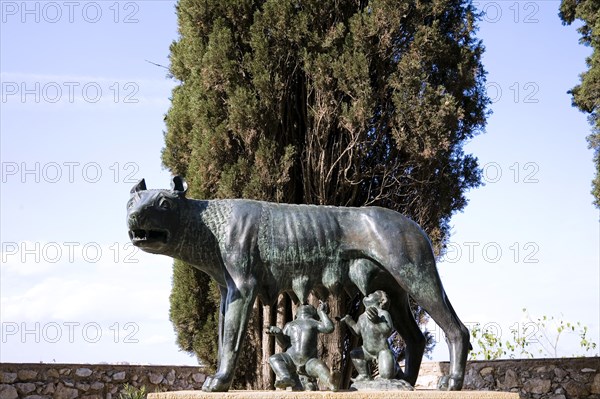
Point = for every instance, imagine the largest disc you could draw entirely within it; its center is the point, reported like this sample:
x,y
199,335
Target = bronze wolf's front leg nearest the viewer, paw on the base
x,y
237,308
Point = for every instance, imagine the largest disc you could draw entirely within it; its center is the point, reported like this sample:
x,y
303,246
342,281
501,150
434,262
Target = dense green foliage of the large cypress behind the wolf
x,y
341,103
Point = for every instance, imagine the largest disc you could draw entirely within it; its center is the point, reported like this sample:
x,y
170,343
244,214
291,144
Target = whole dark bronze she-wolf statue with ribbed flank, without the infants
x,y
254,248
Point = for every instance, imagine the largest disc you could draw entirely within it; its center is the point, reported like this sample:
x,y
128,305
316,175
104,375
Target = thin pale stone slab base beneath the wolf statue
x,y
369,394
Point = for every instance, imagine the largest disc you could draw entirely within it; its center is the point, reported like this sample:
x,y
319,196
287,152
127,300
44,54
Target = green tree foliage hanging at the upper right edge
x,y
586,95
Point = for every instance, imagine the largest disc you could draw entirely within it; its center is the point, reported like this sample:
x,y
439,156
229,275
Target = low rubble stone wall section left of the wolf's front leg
x,y
91,381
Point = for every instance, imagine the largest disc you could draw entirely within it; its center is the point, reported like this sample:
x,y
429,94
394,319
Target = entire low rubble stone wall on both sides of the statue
x,y
536,378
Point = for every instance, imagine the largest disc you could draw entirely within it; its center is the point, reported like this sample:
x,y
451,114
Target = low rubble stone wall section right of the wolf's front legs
x,y
566,378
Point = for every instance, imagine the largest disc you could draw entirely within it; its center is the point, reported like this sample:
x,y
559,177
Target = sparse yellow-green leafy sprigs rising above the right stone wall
x,y
539,338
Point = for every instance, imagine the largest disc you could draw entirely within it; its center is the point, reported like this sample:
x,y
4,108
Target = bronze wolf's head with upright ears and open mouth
x,y
154,216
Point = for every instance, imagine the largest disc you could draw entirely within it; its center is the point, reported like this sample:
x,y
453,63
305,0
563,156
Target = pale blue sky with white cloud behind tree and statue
x,y
81,121
